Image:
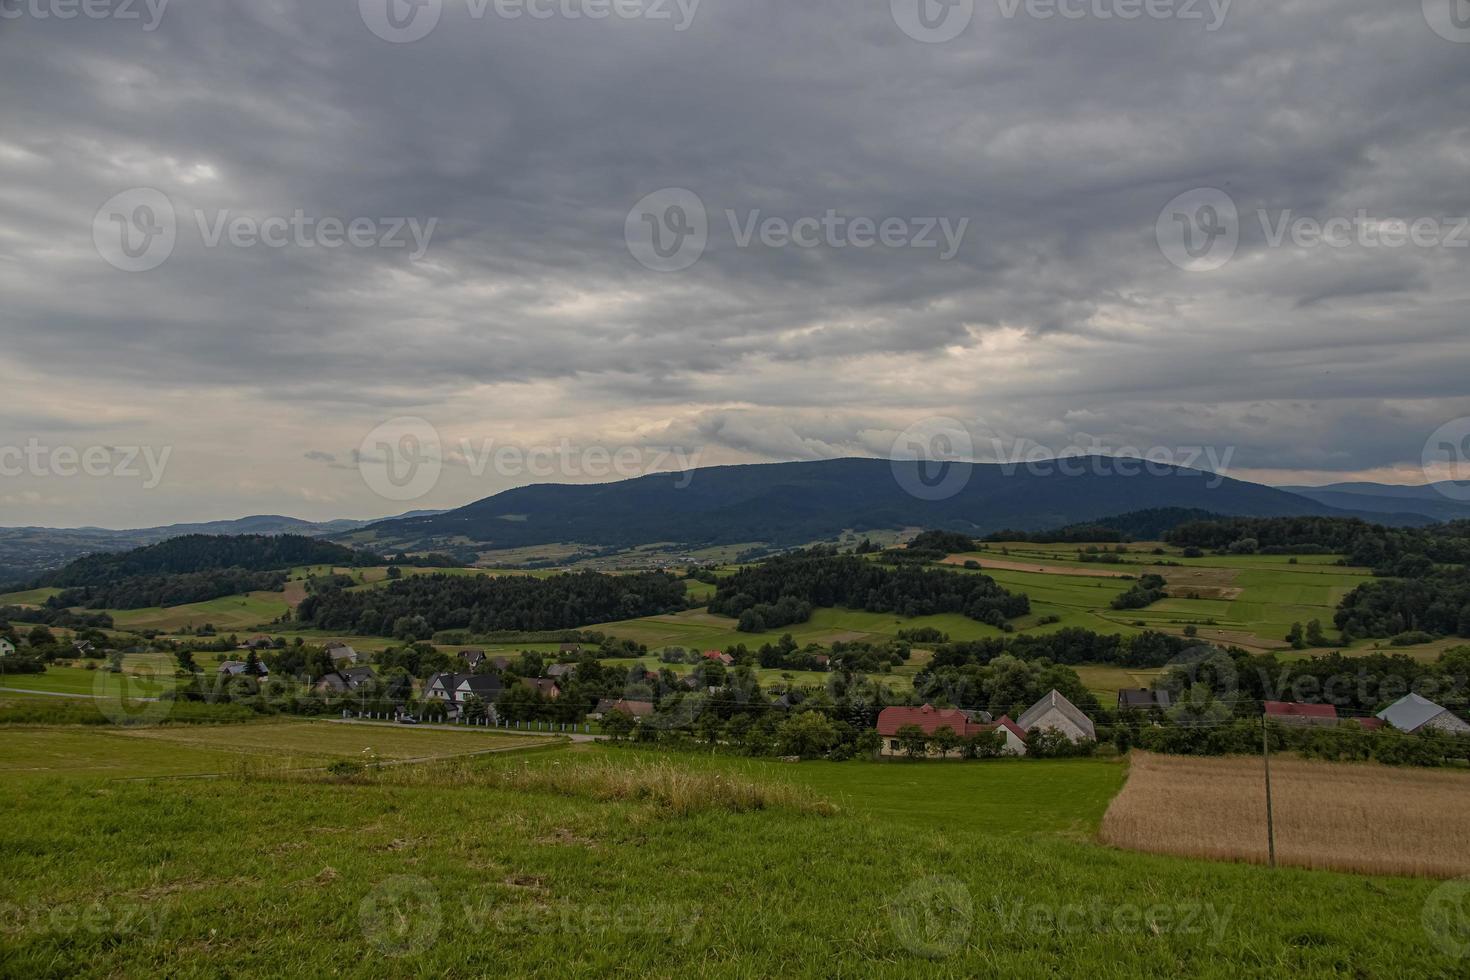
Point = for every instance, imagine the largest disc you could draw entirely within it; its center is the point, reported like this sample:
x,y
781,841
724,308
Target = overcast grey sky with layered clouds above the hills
x,y
1031,286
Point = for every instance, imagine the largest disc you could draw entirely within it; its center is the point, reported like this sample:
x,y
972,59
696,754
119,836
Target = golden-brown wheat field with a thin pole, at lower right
x,y
1350,818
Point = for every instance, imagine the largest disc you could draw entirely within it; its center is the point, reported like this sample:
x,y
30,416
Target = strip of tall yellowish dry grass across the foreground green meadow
x,y
671,788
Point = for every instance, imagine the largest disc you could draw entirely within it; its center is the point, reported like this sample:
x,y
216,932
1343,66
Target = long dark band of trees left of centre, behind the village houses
x,y
421,606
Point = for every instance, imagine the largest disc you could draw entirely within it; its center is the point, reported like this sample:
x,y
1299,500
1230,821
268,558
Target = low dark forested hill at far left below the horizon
x,y
207,553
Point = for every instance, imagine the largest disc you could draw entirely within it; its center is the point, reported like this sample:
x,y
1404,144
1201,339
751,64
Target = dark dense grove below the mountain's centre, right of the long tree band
x,y
790,586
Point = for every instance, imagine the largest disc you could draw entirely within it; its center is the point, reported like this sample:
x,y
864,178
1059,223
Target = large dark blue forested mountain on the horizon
x,y
787,505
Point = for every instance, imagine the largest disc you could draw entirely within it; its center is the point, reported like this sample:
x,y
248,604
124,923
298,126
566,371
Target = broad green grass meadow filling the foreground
x,y
599,862
